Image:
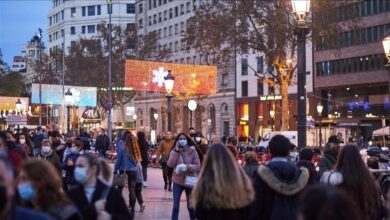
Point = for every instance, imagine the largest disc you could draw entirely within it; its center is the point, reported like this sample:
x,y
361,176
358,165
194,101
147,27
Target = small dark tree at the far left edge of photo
x,y
12,84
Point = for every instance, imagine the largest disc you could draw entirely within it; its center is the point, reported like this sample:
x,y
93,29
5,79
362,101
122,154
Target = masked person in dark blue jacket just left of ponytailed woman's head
x,y
68,166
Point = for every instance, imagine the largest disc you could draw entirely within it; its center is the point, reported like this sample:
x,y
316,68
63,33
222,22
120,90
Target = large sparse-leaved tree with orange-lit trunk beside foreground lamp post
x,y
225,27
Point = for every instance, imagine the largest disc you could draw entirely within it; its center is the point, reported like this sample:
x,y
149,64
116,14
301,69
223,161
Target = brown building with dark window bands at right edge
x,y
350,77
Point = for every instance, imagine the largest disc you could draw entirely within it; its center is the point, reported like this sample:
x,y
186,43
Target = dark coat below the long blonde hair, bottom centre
x,y
222,214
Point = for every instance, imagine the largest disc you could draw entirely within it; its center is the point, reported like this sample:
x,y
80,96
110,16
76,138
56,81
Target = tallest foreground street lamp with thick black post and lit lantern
x,y
301,10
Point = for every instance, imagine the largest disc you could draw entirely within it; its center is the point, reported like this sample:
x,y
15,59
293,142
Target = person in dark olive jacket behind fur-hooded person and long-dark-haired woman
x,y
331,151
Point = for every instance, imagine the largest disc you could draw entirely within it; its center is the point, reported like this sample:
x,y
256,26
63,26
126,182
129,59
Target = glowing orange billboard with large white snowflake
x,y
149,76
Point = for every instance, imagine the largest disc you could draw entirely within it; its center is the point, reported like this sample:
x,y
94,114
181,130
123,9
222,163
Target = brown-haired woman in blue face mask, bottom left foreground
x,y
38,184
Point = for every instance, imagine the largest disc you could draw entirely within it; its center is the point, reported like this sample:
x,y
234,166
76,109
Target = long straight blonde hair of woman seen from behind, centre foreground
x,y
222,183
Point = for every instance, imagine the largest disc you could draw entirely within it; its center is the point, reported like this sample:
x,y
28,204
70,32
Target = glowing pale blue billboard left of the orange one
x,y
53,94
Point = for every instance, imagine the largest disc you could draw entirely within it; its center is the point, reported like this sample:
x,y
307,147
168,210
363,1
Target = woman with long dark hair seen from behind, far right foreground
x,y
358,183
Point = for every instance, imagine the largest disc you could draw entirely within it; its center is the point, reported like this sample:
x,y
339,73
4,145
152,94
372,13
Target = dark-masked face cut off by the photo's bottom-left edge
x,y
6,181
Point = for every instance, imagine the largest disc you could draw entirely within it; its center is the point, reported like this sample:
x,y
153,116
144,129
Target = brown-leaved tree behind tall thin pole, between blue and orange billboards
x,y
87,63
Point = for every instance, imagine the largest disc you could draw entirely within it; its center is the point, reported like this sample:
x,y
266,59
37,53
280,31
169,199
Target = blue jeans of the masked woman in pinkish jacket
x,y
177,190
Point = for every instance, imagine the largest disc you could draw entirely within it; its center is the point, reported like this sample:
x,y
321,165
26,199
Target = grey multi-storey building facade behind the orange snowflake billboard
x,y
215,115
